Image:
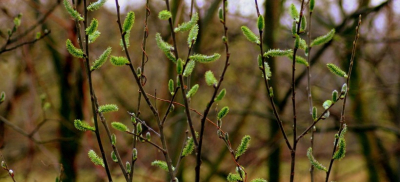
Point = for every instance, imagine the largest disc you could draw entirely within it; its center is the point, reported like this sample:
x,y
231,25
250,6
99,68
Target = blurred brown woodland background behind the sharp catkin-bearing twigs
x,y
36,74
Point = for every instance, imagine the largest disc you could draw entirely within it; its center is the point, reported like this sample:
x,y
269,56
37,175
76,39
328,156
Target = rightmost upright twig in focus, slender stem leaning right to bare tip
x,y
342,118
